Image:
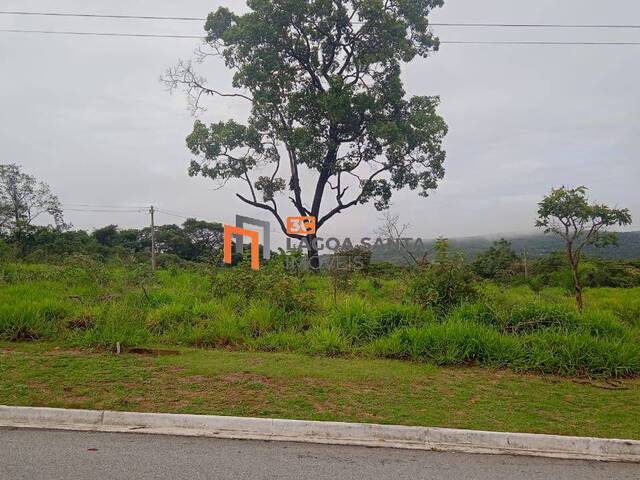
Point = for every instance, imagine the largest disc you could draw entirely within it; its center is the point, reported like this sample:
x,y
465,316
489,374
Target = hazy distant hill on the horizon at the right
x,y
536,245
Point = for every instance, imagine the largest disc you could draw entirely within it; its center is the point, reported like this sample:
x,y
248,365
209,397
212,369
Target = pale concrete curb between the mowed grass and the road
x,y
337,433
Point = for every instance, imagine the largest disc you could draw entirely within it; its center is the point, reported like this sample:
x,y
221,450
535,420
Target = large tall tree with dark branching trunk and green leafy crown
x,y
327,102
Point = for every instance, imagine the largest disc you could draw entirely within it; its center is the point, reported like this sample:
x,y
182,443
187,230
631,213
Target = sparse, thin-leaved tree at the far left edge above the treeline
x,y
22,200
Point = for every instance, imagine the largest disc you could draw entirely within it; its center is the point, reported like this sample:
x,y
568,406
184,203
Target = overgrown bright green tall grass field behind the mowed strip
x,y
86,304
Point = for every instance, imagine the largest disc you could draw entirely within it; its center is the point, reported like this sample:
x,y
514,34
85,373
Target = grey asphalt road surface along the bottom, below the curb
x,y
44,454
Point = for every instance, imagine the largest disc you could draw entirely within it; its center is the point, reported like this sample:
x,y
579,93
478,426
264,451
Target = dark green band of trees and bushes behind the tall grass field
x,y
202,242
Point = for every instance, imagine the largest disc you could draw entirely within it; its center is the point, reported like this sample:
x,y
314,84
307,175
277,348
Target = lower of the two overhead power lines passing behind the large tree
x,y
451,42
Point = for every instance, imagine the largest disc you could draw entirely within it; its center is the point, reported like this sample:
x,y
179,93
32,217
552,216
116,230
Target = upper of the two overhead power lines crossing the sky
x,y
439,24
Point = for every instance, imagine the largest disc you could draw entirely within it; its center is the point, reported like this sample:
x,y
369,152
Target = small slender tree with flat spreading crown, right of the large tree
x,y
567,213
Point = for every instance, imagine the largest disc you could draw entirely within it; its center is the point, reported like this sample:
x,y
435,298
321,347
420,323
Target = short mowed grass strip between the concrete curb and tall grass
x,y
220,382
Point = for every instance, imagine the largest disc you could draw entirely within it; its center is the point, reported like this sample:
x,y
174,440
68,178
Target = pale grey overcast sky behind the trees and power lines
x,y
89,116
